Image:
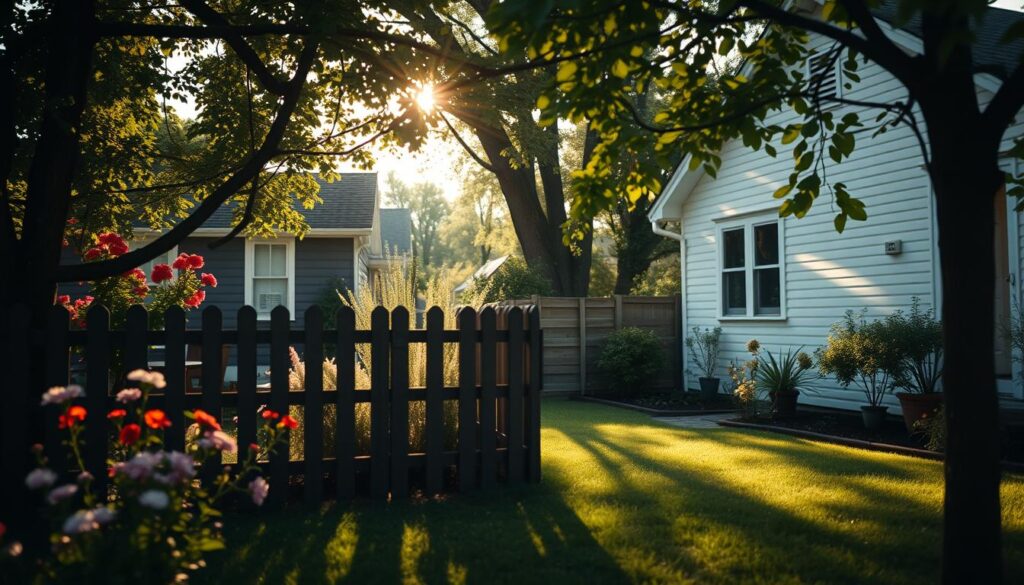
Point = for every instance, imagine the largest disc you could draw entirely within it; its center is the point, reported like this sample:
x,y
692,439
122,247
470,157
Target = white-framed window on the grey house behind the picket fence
x,y
271,276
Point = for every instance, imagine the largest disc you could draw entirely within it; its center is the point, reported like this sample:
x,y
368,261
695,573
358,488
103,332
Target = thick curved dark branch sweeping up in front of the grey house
x,y
233,185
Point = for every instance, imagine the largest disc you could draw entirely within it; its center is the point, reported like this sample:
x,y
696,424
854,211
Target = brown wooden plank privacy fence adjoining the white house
x,y
575,328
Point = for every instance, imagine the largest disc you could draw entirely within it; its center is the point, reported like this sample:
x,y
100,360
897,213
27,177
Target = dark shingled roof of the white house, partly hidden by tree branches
x,y
992,55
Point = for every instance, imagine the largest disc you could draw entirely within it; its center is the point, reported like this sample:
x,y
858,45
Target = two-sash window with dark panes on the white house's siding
x,y
752,269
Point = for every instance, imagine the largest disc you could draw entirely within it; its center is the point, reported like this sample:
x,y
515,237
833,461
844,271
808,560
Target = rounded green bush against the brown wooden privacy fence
x,y
630,359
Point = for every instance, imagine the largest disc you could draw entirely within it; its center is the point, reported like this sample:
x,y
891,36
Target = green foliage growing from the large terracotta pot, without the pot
x,y
919,340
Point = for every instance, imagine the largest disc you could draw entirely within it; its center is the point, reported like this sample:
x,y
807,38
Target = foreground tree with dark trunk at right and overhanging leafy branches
x,y
675,46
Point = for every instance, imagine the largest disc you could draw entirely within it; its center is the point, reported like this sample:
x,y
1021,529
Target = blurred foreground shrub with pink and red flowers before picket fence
x,y
161,521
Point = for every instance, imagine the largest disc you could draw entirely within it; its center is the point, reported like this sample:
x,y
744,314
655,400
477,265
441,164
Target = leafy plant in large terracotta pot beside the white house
x,y
919,341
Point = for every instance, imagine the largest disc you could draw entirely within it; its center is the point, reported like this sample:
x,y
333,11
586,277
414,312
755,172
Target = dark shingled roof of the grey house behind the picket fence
x,y
349,204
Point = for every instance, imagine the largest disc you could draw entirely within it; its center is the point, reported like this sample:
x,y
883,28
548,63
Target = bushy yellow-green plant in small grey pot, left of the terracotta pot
x,y
865,354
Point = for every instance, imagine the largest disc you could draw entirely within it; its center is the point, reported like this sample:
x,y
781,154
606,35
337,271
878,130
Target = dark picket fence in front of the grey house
x,y
497,396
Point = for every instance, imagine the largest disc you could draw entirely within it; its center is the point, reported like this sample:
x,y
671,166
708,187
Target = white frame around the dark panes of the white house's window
x,y
748,223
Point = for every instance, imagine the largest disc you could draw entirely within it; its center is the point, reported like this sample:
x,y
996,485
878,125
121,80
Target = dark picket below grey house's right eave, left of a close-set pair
x,y
378,404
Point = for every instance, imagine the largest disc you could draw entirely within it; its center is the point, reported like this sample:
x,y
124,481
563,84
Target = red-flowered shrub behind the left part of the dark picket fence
x,y
121,292
